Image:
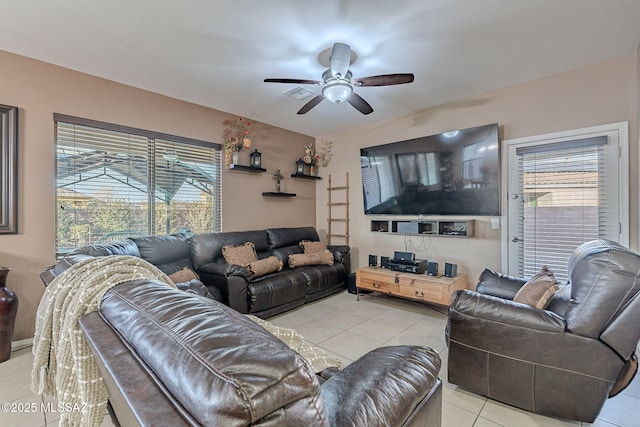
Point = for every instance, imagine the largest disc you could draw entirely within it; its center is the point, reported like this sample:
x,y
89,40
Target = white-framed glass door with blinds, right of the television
x,y
563,190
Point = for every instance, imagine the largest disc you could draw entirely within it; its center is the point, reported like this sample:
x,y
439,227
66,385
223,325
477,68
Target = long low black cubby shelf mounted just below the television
x,y
464,228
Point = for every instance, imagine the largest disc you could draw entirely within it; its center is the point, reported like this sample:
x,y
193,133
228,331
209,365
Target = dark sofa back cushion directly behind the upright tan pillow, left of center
x,y
207,247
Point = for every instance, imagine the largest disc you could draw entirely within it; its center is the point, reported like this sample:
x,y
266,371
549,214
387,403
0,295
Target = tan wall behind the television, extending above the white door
x,y
602,93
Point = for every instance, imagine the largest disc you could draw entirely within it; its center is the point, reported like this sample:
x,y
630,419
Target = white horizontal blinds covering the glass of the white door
x,y
564,202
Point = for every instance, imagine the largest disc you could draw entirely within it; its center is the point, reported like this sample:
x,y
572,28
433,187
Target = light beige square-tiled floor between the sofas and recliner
x,y
347,329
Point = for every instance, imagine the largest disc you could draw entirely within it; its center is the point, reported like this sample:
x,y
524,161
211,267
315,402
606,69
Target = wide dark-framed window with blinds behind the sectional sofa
x,y
114,182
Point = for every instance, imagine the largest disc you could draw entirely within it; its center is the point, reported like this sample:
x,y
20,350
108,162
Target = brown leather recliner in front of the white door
x,y
563,361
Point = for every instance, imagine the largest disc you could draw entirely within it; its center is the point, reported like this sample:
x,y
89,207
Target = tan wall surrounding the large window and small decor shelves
x,y
40,89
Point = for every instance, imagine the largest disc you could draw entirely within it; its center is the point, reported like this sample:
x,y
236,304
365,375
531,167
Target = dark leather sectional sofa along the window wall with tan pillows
x,y
263,296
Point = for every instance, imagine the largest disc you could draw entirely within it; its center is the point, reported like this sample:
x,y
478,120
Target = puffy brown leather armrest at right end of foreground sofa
x,y
389,386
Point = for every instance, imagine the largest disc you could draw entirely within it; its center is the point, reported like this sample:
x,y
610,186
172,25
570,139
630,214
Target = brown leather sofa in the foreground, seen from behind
x,y
172,358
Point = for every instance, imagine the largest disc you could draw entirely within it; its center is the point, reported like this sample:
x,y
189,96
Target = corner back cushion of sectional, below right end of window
x,y
168,253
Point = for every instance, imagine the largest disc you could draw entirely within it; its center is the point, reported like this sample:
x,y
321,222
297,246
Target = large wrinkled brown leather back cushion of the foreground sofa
x,y
221,367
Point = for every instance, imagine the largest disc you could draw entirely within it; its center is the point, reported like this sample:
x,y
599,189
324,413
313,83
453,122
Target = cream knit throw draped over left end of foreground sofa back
x,y
63,365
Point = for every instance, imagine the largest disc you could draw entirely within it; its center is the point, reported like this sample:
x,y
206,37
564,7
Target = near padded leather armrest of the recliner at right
x,y
487,307
